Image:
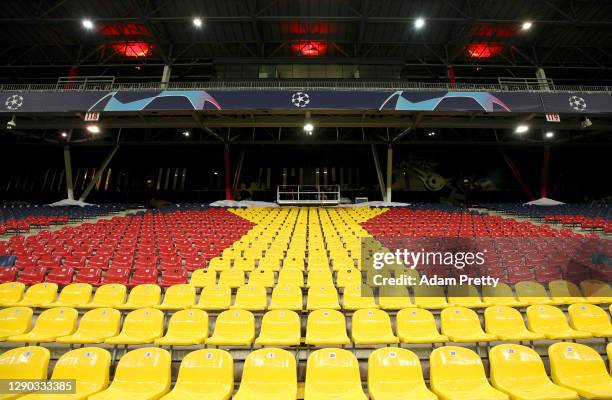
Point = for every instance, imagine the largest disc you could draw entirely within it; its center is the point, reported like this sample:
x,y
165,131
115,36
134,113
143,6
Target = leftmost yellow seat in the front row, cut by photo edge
x,y
24,363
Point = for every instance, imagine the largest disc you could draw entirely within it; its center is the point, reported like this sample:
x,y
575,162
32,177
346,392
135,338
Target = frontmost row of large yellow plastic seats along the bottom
x,y
455,373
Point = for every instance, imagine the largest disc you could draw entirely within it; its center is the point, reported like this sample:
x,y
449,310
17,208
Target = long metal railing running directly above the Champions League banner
x,y
108,84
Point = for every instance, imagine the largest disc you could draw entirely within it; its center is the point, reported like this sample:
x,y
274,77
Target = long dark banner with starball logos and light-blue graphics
x,y
389,100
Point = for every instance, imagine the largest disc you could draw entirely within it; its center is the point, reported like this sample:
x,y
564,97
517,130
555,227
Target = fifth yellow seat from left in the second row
x,y
186,327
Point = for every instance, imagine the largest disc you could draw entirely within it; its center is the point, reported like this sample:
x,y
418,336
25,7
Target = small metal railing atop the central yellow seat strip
x,y
308,194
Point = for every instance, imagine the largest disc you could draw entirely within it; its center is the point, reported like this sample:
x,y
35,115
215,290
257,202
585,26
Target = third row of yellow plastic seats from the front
x,y
254,297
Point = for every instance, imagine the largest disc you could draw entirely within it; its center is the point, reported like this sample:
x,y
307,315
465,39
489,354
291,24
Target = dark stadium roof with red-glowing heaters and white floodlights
x,y
570,39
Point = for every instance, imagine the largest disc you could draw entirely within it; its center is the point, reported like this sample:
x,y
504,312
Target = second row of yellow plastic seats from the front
x,y
284,327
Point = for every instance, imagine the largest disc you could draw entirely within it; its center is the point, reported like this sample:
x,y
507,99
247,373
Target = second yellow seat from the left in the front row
x,y
88,366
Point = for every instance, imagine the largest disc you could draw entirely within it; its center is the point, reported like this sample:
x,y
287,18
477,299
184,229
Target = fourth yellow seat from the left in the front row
x,y
204,374
